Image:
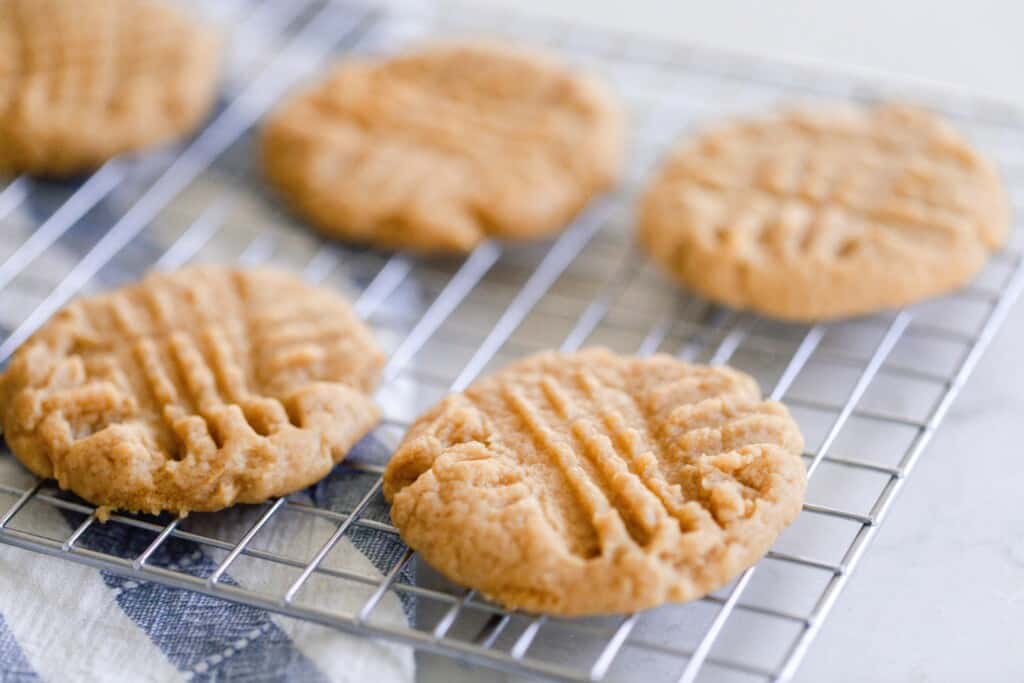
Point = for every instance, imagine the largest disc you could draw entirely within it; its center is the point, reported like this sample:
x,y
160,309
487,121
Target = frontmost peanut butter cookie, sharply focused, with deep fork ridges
x,y
590,483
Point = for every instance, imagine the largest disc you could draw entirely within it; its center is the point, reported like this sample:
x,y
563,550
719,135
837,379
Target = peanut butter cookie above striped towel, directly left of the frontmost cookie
x,y
192,391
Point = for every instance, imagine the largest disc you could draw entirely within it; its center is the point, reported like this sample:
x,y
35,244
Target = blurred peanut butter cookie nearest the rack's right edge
x,y
822,215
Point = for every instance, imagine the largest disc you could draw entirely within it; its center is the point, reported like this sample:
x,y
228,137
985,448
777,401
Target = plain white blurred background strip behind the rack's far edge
x,y
977,45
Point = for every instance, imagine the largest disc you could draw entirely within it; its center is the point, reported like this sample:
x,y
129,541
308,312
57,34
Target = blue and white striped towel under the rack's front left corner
x,y
65,622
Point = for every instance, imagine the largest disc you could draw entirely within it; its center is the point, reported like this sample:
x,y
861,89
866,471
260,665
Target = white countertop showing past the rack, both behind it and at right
x,y
940,595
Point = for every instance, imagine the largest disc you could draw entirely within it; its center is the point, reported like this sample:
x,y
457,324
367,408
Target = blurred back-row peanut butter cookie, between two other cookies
x,y
441,149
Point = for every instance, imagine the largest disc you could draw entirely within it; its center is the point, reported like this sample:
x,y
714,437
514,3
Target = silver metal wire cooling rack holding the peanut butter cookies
x,y
870,394
